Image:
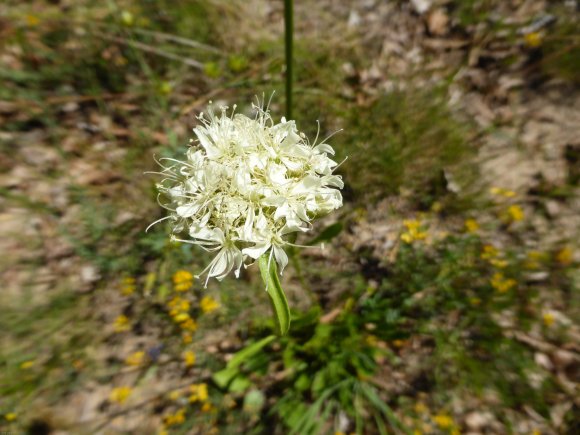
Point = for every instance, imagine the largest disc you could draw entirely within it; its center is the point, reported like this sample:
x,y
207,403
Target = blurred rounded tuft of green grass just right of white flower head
x,y
406,139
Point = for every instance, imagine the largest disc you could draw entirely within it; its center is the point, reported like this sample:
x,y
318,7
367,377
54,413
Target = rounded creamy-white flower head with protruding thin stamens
x,y
245,185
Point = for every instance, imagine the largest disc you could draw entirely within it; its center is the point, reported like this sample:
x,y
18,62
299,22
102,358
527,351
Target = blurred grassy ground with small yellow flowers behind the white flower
x,y
446,299
